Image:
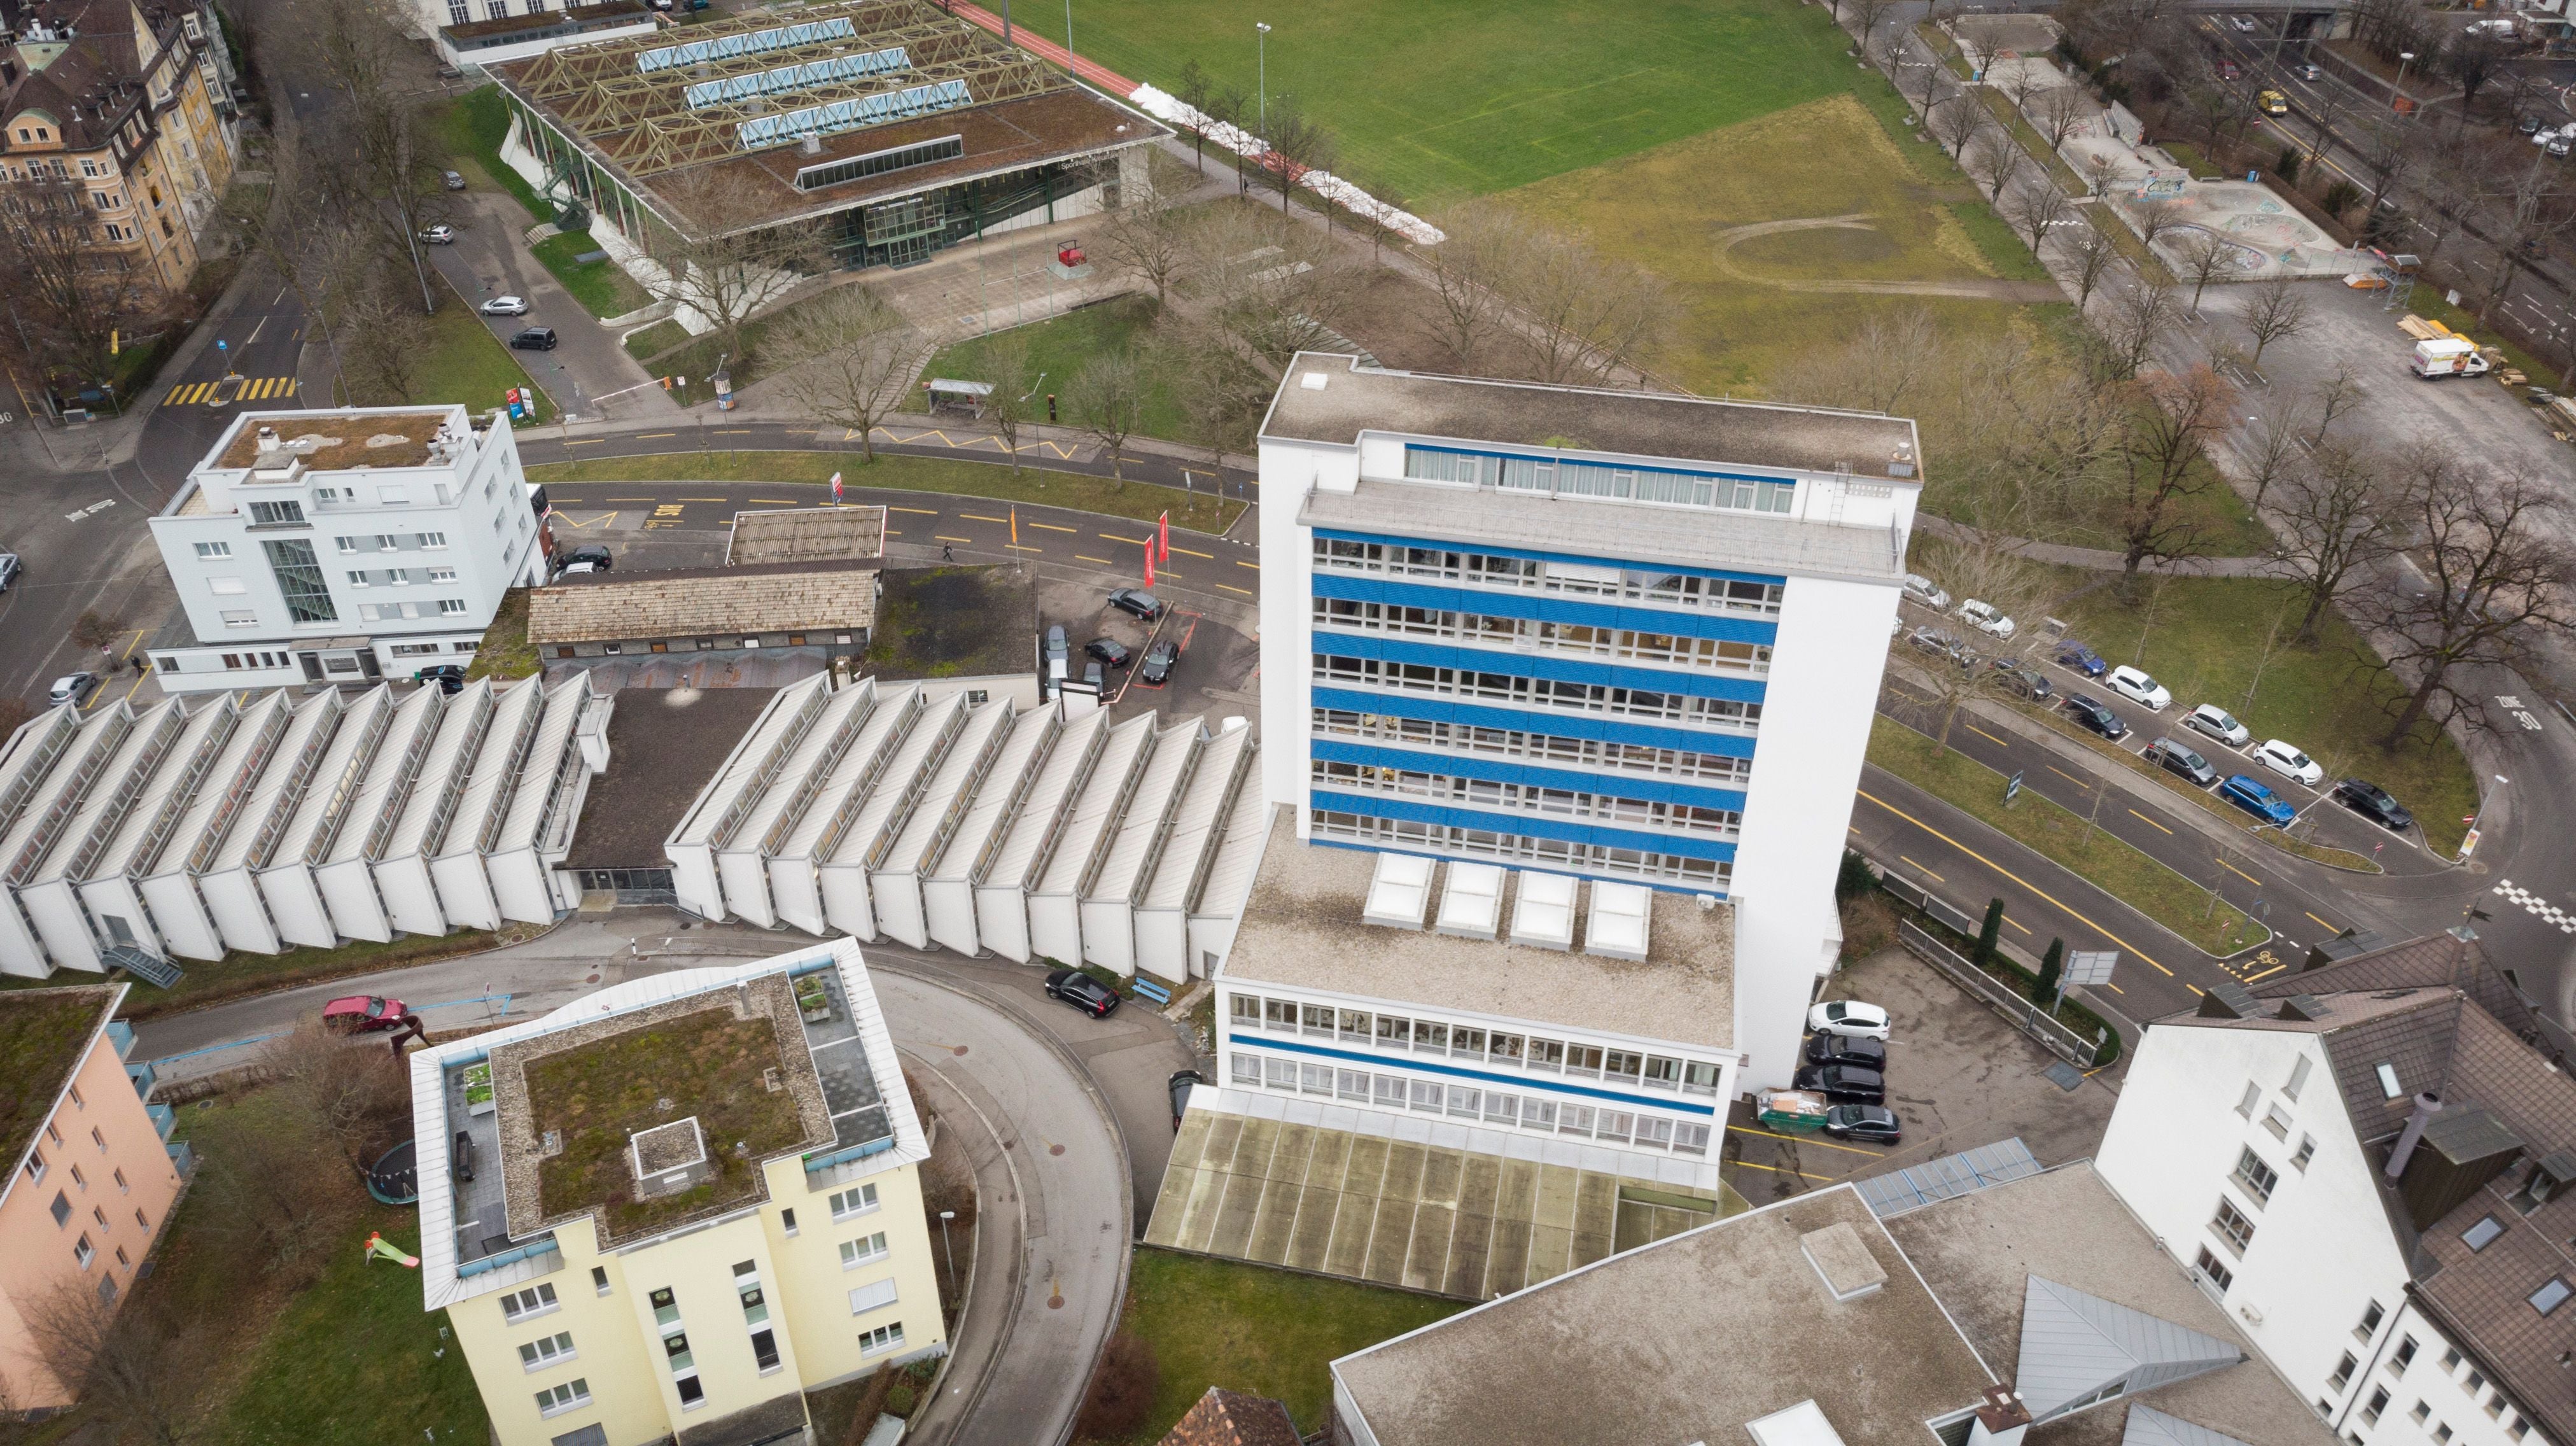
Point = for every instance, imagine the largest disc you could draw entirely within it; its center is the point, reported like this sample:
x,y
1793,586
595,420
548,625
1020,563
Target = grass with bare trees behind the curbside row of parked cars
x,y
2333,700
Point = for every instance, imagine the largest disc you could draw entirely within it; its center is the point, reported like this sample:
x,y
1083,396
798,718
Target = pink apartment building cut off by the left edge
x,y
91,1179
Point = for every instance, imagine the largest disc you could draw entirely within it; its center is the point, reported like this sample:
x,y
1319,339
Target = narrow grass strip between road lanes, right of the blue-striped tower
x,y
2116,867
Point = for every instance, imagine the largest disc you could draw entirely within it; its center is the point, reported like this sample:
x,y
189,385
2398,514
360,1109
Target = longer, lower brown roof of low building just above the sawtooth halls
x,y
790,597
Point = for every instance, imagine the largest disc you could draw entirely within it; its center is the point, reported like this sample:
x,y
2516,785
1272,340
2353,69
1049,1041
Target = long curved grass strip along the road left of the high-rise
x,y
996,481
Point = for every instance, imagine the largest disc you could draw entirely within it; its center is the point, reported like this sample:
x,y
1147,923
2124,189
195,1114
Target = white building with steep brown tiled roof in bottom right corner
x,y
2369,1166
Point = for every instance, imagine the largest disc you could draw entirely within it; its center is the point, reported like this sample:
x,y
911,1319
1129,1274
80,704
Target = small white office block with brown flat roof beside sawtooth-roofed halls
x,y
344,548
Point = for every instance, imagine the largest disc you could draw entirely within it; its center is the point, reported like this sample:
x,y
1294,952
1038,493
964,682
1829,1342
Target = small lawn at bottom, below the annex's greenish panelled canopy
x,y
1251,1329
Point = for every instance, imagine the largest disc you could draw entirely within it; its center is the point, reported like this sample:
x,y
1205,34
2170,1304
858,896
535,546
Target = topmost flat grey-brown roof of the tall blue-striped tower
x,y
1526,414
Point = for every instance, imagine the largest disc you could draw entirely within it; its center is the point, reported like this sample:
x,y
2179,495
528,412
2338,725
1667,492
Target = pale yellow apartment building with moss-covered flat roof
x,y
668,1210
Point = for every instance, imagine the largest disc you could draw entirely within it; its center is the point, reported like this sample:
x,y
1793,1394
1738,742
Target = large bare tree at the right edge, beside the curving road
x,y
2497,576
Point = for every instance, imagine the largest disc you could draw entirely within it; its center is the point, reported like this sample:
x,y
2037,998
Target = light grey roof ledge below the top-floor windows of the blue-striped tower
x,y
1683,537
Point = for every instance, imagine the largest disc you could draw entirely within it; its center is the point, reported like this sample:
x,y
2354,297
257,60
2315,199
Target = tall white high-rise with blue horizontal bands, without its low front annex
x,y
1604,635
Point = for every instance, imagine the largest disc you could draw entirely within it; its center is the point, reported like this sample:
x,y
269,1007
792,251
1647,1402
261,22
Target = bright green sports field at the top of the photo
x,y
1446,99
